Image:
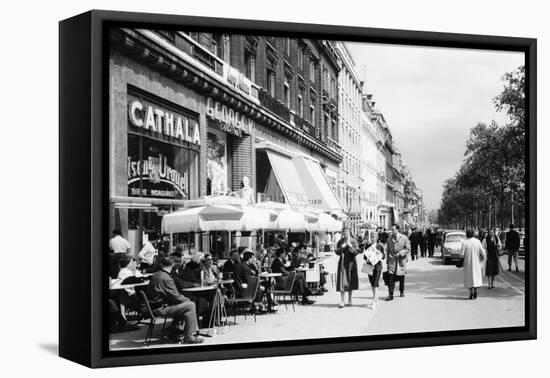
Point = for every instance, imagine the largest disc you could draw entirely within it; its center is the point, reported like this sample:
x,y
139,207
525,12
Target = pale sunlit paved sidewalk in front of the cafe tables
x,y
435,301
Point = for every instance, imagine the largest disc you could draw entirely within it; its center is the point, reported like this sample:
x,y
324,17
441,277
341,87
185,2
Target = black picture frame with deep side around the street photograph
x,y
83,179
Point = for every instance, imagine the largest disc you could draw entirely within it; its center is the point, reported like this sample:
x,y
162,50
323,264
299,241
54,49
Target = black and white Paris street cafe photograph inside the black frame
x,y
266,188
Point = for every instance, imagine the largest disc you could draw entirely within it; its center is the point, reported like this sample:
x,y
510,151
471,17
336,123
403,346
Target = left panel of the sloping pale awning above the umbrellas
x,y
287,178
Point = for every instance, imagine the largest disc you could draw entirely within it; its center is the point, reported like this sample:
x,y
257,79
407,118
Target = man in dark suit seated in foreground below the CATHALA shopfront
x,y
166,300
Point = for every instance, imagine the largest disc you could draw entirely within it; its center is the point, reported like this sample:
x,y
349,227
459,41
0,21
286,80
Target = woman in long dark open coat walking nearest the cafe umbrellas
x,y
347,275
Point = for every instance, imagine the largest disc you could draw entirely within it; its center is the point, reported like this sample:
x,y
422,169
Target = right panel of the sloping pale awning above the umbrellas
x,y
316,185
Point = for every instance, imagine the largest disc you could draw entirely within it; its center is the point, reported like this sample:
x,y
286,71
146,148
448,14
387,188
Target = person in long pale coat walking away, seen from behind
x,y
474,255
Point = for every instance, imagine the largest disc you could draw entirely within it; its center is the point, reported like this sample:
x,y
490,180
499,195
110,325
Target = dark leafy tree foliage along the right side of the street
x,y
493,170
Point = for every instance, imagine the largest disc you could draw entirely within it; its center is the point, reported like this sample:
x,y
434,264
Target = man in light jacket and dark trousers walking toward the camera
x,y
398,249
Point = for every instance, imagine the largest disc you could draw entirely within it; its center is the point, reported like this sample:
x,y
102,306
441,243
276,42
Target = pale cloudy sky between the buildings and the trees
x,y
431,98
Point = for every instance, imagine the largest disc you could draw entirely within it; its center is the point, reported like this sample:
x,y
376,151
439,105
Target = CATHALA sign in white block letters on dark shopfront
x,y
163,122
